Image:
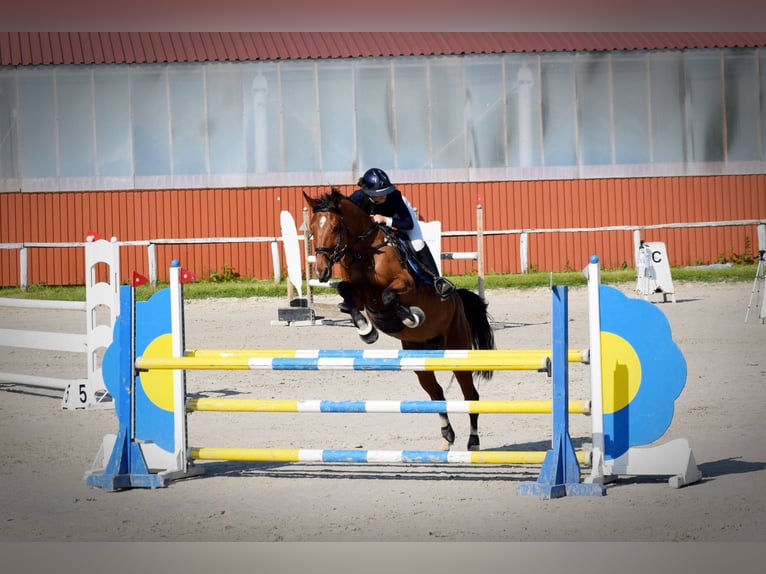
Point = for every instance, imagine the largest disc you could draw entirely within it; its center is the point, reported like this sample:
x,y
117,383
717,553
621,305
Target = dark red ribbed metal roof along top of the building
x,y
45,48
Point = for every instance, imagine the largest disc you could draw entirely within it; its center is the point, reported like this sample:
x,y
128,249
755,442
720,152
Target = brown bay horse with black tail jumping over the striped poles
x,y
377,281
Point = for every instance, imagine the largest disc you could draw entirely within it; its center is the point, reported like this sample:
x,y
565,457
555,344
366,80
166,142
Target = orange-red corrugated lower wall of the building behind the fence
x,y
167,214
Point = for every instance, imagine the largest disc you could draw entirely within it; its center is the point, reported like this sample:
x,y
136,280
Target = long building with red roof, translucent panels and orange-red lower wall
x,y
163,136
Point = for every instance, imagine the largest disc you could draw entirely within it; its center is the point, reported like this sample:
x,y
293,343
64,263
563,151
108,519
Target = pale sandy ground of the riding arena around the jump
x,y
46,451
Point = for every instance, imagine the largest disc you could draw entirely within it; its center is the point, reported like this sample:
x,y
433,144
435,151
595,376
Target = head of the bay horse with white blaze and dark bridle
x,y
328,231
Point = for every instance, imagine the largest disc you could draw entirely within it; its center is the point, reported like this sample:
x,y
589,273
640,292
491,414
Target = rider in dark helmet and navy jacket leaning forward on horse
x,y
387,206
